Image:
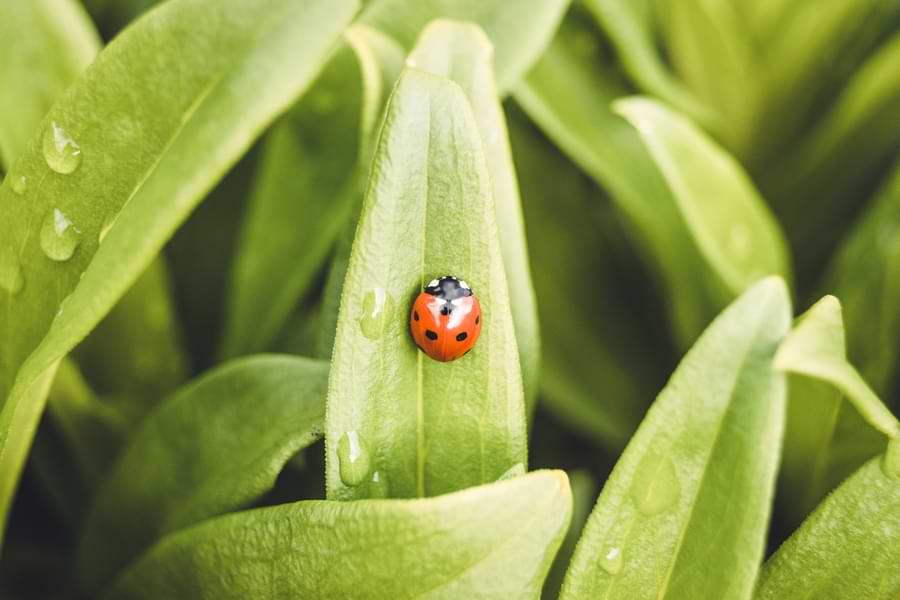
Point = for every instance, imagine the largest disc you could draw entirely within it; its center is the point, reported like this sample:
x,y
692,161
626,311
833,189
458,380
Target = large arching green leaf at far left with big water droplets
x,y
142,162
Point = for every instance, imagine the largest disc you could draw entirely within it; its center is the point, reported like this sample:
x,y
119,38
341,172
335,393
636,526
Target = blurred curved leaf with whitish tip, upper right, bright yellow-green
x,y
731,223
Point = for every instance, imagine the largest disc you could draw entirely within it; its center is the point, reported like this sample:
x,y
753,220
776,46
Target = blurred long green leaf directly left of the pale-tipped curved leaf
x,y
610,151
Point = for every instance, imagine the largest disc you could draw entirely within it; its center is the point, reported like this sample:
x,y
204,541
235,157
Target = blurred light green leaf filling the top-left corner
x,y
46,45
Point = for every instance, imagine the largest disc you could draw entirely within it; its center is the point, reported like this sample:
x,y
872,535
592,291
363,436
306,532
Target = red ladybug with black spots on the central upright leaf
x,y
445,319
